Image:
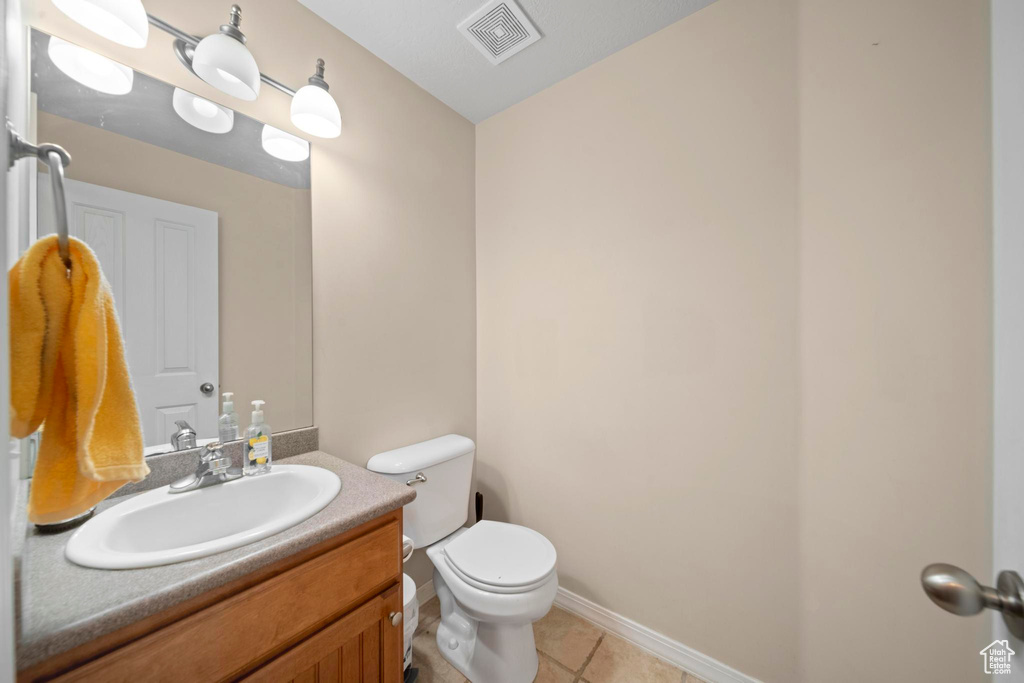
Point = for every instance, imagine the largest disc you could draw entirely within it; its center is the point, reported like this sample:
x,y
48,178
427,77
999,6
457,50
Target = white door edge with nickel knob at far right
x,y
954,588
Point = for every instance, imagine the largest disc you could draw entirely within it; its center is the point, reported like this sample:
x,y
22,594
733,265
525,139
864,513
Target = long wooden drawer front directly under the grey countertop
x,y
231,637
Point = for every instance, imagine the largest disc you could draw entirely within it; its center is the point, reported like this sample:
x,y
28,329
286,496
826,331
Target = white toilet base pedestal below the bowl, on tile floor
x,y
484,652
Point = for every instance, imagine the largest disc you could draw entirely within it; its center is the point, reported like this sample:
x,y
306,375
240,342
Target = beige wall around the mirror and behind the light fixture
x,y
393,215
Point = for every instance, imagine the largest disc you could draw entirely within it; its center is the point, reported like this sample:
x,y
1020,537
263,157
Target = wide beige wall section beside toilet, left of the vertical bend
x,y
637,246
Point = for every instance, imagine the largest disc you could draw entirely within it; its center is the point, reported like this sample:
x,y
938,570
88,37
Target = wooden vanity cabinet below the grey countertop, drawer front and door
x,y
325,615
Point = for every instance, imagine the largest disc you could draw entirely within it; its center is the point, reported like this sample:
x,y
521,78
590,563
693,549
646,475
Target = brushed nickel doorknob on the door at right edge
x,y
957,591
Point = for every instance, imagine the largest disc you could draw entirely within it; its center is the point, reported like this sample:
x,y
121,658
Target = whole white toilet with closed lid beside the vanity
x,y
494,580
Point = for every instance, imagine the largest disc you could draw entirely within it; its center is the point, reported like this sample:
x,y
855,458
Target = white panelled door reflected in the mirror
x,y
161,262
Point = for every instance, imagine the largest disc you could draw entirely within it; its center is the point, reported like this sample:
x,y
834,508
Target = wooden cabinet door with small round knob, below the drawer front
x,y
362,647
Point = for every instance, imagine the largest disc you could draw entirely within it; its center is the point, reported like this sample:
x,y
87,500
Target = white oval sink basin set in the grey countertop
x,y
159,528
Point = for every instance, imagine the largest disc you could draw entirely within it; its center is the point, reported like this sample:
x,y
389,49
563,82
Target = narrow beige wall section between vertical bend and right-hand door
x,y
895,333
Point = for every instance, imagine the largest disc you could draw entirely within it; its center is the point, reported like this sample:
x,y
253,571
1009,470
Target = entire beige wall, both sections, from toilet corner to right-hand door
x,y
734,328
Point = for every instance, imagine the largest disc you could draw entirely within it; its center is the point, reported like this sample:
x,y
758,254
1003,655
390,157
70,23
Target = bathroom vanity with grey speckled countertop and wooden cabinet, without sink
x,y
321,602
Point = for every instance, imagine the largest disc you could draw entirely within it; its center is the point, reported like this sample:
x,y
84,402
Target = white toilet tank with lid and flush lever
x,y
442,504
